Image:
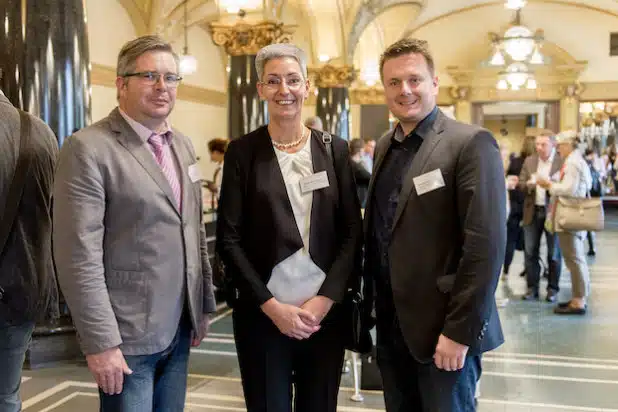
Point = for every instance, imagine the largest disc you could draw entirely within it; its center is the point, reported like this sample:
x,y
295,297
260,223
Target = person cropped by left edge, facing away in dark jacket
x,y
28,291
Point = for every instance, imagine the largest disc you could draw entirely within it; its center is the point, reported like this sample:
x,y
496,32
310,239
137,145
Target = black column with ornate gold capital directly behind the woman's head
x,y
242,41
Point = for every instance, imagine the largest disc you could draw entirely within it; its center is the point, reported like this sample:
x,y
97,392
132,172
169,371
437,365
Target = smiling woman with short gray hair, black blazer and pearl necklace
x,y
289,234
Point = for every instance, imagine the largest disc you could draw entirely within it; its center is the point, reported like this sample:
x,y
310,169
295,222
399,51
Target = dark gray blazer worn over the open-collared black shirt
x,y
447,245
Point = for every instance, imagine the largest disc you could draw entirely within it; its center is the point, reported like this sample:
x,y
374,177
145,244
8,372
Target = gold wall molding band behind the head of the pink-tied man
x,y
102,75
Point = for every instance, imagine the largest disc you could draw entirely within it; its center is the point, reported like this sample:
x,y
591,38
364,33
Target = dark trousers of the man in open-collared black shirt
x,y
411,386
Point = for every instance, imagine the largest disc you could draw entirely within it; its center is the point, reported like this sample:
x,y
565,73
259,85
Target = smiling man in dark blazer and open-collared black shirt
x,y
435,241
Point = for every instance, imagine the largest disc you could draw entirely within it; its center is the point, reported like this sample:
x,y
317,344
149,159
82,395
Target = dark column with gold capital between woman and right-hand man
x,y
333,100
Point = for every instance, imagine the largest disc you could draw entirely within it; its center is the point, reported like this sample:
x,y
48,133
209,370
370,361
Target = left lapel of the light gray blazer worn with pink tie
x,y
140,151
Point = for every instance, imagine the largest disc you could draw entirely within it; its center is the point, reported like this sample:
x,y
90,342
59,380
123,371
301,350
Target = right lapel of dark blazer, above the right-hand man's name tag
x,y
430,141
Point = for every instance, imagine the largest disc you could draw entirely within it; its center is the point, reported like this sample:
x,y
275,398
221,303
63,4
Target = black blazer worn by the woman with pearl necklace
x,y
256,228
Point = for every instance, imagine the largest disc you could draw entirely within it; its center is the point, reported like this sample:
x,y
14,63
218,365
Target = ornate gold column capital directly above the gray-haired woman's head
x,y
247,39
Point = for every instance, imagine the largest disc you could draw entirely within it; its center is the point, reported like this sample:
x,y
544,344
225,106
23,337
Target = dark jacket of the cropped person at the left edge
x,y
26,267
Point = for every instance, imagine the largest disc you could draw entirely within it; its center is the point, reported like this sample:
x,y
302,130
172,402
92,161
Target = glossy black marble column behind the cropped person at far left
x,y
44,59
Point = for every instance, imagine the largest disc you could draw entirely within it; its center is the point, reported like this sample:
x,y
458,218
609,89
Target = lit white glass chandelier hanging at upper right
x,y
516,49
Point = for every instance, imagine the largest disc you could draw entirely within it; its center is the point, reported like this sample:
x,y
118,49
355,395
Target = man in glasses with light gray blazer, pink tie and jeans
x,y
129,242
